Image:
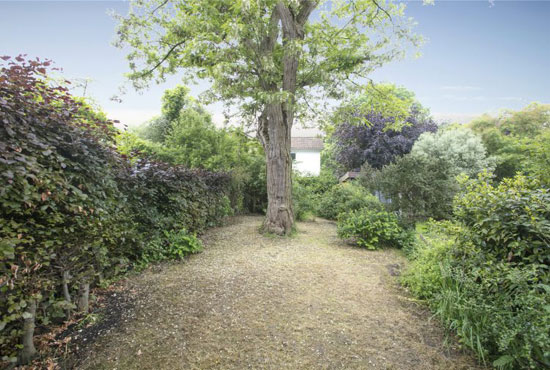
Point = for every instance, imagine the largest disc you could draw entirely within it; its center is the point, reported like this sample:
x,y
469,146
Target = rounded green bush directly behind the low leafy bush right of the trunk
x,y
346,197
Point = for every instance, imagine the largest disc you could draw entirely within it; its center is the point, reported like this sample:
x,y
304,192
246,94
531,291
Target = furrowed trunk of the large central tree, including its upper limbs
x,y
276,121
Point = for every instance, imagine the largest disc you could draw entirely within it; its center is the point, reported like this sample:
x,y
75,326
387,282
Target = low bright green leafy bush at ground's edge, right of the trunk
x,y
371,229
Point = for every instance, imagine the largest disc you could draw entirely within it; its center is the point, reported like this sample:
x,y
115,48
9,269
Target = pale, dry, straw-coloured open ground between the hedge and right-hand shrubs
x,y
255,302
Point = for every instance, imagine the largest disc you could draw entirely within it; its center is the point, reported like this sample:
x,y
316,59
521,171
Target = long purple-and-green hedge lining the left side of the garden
x,y
75,212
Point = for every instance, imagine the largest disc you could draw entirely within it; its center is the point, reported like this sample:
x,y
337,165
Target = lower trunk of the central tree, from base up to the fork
x,y
274,133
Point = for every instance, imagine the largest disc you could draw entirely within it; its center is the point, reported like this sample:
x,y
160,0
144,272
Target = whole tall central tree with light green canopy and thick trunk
x,y
268,58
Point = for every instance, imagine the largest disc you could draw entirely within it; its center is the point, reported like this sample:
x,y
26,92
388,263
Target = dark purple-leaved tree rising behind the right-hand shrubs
x,y
372,141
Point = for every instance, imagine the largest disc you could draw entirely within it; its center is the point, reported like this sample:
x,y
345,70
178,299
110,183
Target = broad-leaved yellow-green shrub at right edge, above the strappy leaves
x,y
509,222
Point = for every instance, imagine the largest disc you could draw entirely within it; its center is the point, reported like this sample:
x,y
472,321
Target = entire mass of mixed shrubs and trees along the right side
x,y
483,267
